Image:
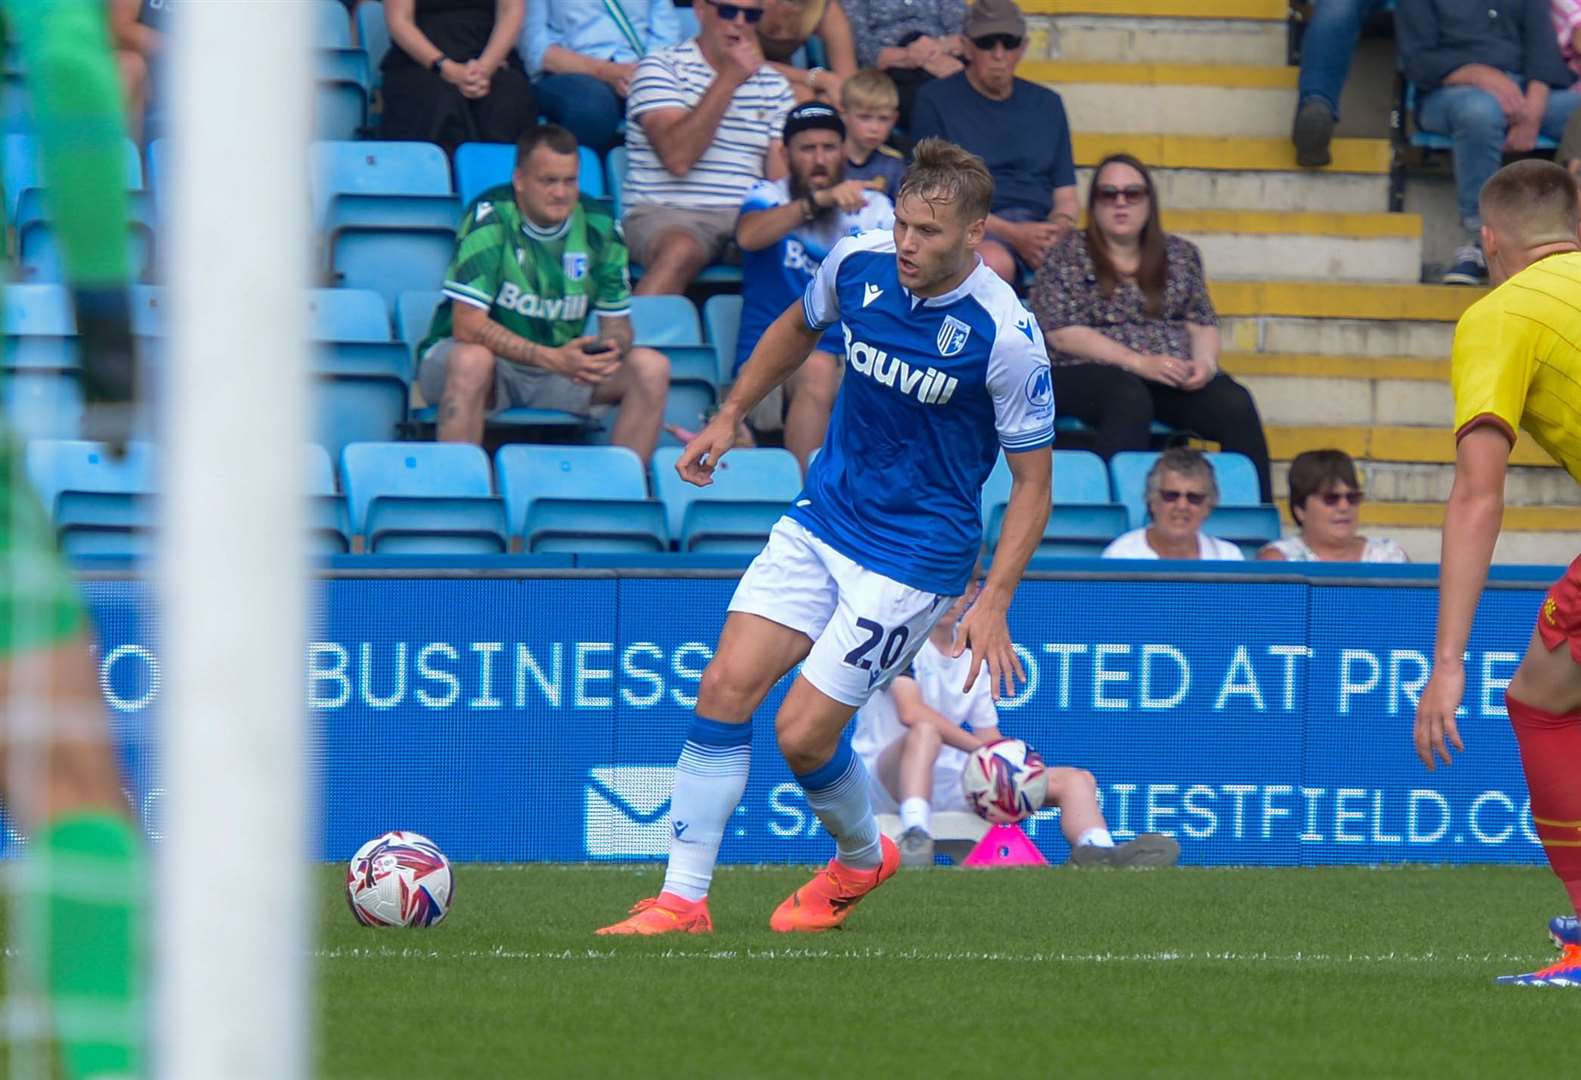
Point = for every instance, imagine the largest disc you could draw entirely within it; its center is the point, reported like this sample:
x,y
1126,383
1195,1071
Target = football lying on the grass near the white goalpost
x,y
399,880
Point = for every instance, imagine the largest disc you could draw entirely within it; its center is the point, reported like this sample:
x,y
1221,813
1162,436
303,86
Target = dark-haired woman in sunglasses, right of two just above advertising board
x,y
1326,502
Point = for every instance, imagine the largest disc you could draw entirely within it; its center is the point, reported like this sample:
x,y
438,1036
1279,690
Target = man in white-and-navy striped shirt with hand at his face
x,y
703,126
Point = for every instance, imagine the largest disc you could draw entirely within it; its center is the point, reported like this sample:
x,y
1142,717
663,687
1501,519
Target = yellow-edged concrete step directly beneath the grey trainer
x,y
1340,319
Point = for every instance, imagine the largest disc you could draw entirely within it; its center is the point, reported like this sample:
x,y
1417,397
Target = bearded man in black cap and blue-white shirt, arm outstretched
x,y
785,232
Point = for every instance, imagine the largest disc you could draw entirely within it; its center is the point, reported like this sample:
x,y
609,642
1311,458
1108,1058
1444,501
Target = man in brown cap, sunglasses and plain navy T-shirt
x,y
1021,132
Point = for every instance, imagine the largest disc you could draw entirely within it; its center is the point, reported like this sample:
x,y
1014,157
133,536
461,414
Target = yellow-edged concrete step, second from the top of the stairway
x,y
1172,99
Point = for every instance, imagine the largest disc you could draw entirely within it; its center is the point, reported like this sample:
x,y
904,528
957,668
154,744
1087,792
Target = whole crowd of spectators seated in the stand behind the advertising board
x,y
757,135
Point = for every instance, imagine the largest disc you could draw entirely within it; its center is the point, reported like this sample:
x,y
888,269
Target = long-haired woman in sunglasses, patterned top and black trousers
x,y
1131,330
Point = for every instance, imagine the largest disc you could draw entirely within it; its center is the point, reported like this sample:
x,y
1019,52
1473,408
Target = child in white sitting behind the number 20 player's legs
x,y
915,739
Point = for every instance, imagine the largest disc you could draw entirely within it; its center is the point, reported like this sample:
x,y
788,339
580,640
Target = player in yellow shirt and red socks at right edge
x,y
1517,366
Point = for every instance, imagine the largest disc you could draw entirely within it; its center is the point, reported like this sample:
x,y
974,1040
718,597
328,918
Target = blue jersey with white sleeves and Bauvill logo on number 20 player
x,y
934,390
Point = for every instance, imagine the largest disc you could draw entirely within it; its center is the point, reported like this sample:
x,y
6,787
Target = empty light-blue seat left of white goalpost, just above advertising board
x,y
100,505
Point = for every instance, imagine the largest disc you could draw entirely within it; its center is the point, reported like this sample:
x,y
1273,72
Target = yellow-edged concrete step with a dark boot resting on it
x,y
1215,173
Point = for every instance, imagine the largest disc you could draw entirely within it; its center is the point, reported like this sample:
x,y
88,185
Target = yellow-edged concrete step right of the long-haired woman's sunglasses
x,y
1261,246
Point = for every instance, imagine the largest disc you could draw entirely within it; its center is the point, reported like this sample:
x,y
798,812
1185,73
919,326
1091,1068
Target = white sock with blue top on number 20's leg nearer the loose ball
x,y
709,782
